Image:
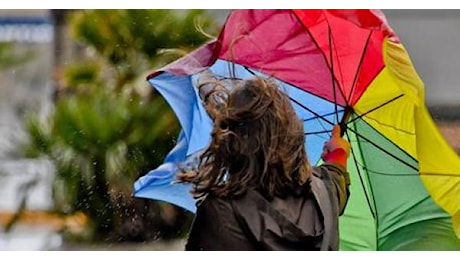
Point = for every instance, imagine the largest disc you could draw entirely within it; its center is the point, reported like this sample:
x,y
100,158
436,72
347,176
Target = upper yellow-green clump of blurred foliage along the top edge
x,y
135,41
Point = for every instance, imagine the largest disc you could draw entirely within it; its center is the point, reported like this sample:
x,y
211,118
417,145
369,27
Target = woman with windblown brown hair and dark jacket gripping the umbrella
x,y
257,188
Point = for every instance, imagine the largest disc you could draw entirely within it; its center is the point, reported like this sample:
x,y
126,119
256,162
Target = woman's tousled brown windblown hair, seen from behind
x,y
257,143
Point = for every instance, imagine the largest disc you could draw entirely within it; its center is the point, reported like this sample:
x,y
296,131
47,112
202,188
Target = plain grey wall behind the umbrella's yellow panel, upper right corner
x,y
432,38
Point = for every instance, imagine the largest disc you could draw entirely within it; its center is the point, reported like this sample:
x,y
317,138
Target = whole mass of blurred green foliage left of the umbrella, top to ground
x,y
108,127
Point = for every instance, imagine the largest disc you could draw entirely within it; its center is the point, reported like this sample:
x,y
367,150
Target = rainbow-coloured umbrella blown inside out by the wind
x,y
338,66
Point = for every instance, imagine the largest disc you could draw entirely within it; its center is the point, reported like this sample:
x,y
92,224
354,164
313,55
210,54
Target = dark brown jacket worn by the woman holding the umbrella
x,y
250,222
